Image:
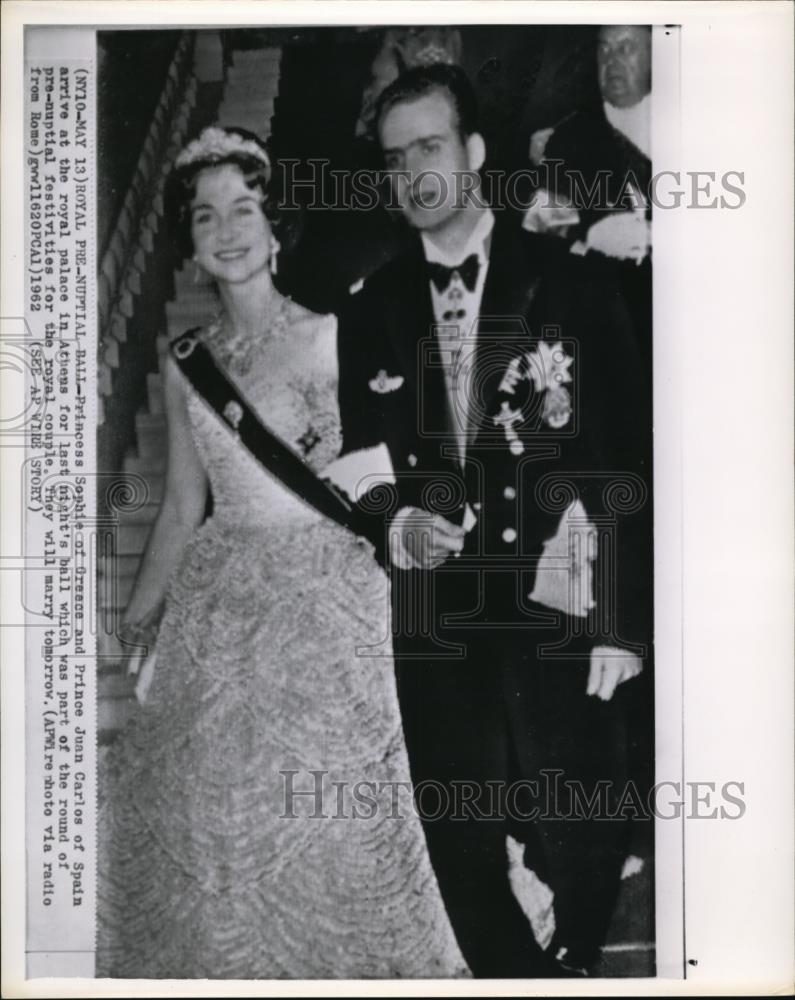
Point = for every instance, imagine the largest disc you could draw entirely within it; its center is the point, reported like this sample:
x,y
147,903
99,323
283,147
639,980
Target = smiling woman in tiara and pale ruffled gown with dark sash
x,y
255,818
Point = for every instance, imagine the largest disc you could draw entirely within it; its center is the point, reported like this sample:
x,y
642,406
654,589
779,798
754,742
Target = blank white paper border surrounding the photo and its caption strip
x,y
723,486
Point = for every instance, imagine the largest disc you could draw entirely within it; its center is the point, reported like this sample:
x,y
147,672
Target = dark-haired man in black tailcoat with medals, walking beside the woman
x,y
516,411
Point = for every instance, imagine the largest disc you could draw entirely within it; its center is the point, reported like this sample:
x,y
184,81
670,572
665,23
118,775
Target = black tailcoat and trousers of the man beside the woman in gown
x,y
491,683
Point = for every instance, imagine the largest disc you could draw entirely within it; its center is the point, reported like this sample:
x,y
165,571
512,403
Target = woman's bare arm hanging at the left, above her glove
x,y
181,509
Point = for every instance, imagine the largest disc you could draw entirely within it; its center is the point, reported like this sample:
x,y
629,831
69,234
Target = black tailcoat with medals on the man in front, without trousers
x,y
601,454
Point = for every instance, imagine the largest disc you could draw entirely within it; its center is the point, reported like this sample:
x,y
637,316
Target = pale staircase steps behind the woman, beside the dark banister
x,y
248,101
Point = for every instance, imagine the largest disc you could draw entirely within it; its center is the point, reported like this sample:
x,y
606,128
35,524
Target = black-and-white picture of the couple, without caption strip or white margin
x,y
386,389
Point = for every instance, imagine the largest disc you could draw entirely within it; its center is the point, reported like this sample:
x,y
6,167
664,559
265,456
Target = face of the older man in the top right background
x,y
623,57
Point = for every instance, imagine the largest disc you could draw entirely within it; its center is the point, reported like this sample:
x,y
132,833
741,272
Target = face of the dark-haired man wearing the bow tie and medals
x,y
427,157
